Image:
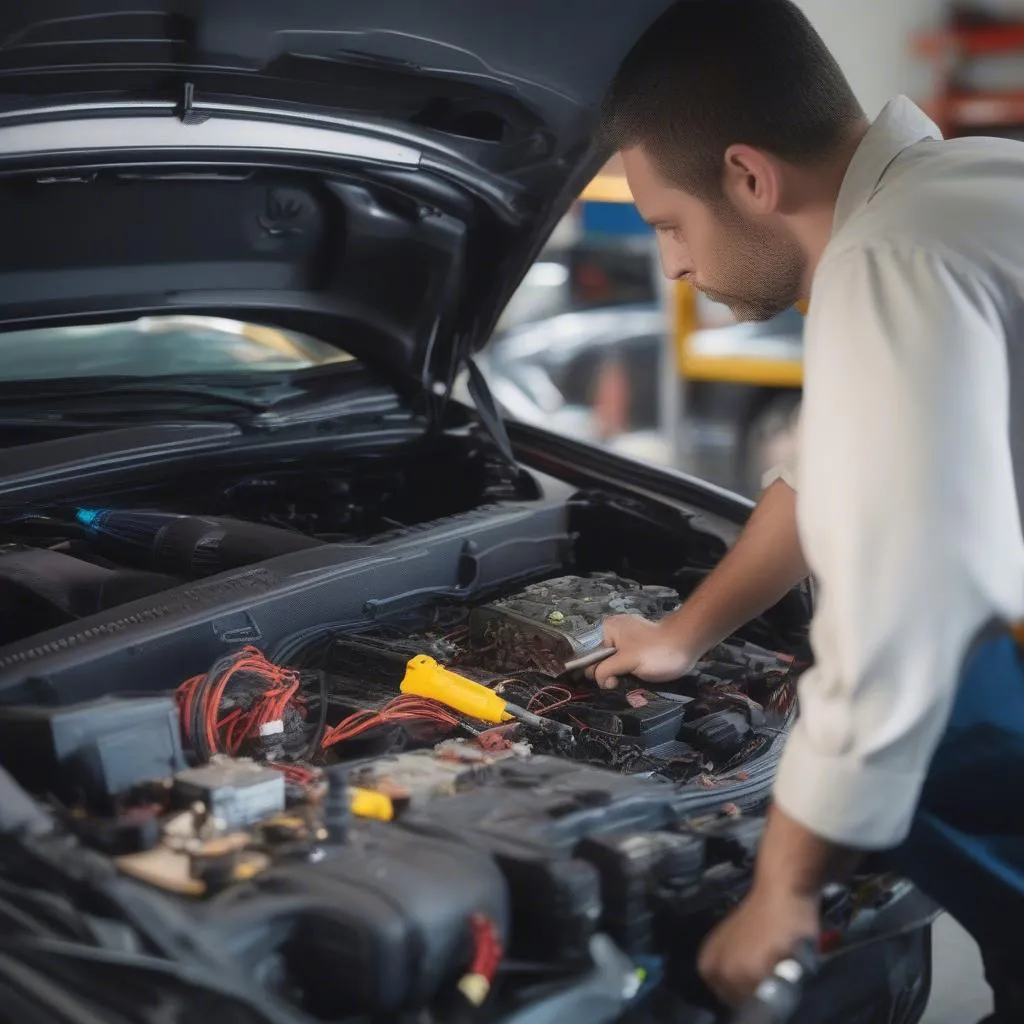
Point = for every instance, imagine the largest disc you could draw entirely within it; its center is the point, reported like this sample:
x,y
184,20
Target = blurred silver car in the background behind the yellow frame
x,y
549,371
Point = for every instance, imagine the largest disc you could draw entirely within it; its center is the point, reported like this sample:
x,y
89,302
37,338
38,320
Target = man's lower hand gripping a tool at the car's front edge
x,y
765,929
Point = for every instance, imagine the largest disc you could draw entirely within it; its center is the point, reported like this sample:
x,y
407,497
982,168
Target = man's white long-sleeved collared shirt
x,y
911,464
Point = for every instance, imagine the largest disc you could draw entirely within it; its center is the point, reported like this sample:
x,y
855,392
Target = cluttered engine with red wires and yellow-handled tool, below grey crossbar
x,y
354,831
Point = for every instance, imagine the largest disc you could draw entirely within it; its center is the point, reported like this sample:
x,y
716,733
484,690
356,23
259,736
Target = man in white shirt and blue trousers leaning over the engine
x,y
749,155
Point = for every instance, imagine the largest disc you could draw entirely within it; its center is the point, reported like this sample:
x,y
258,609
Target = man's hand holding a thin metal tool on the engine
x,y
656,653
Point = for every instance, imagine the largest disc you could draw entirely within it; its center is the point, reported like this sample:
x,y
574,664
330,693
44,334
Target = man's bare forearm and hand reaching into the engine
x,y
762,567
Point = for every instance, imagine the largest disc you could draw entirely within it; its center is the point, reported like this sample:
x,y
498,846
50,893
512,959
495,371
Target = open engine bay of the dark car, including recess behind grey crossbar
x,y
378,795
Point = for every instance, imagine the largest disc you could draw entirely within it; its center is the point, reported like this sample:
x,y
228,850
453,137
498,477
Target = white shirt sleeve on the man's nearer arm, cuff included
x,y
909,520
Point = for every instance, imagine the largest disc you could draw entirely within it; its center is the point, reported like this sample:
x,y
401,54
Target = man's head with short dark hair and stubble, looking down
x,y
726,114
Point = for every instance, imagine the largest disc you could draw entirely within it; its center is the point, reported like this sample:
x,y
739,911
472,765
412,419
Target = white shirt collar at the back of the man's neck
x,y
900,125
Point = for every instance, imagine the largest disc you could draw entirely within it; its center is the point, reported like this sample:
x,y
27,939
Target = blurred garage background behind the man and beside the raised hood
x,y
598,345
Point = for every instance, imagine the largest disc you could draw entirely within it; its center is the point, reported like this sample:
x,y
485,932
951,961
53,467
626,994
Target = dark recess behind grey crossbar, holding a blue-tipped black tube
x,y
62,563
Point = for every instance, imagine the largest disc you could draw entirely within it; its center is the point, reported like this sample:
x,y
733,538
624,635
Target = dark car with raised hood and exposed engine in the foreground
x,y
287,733
